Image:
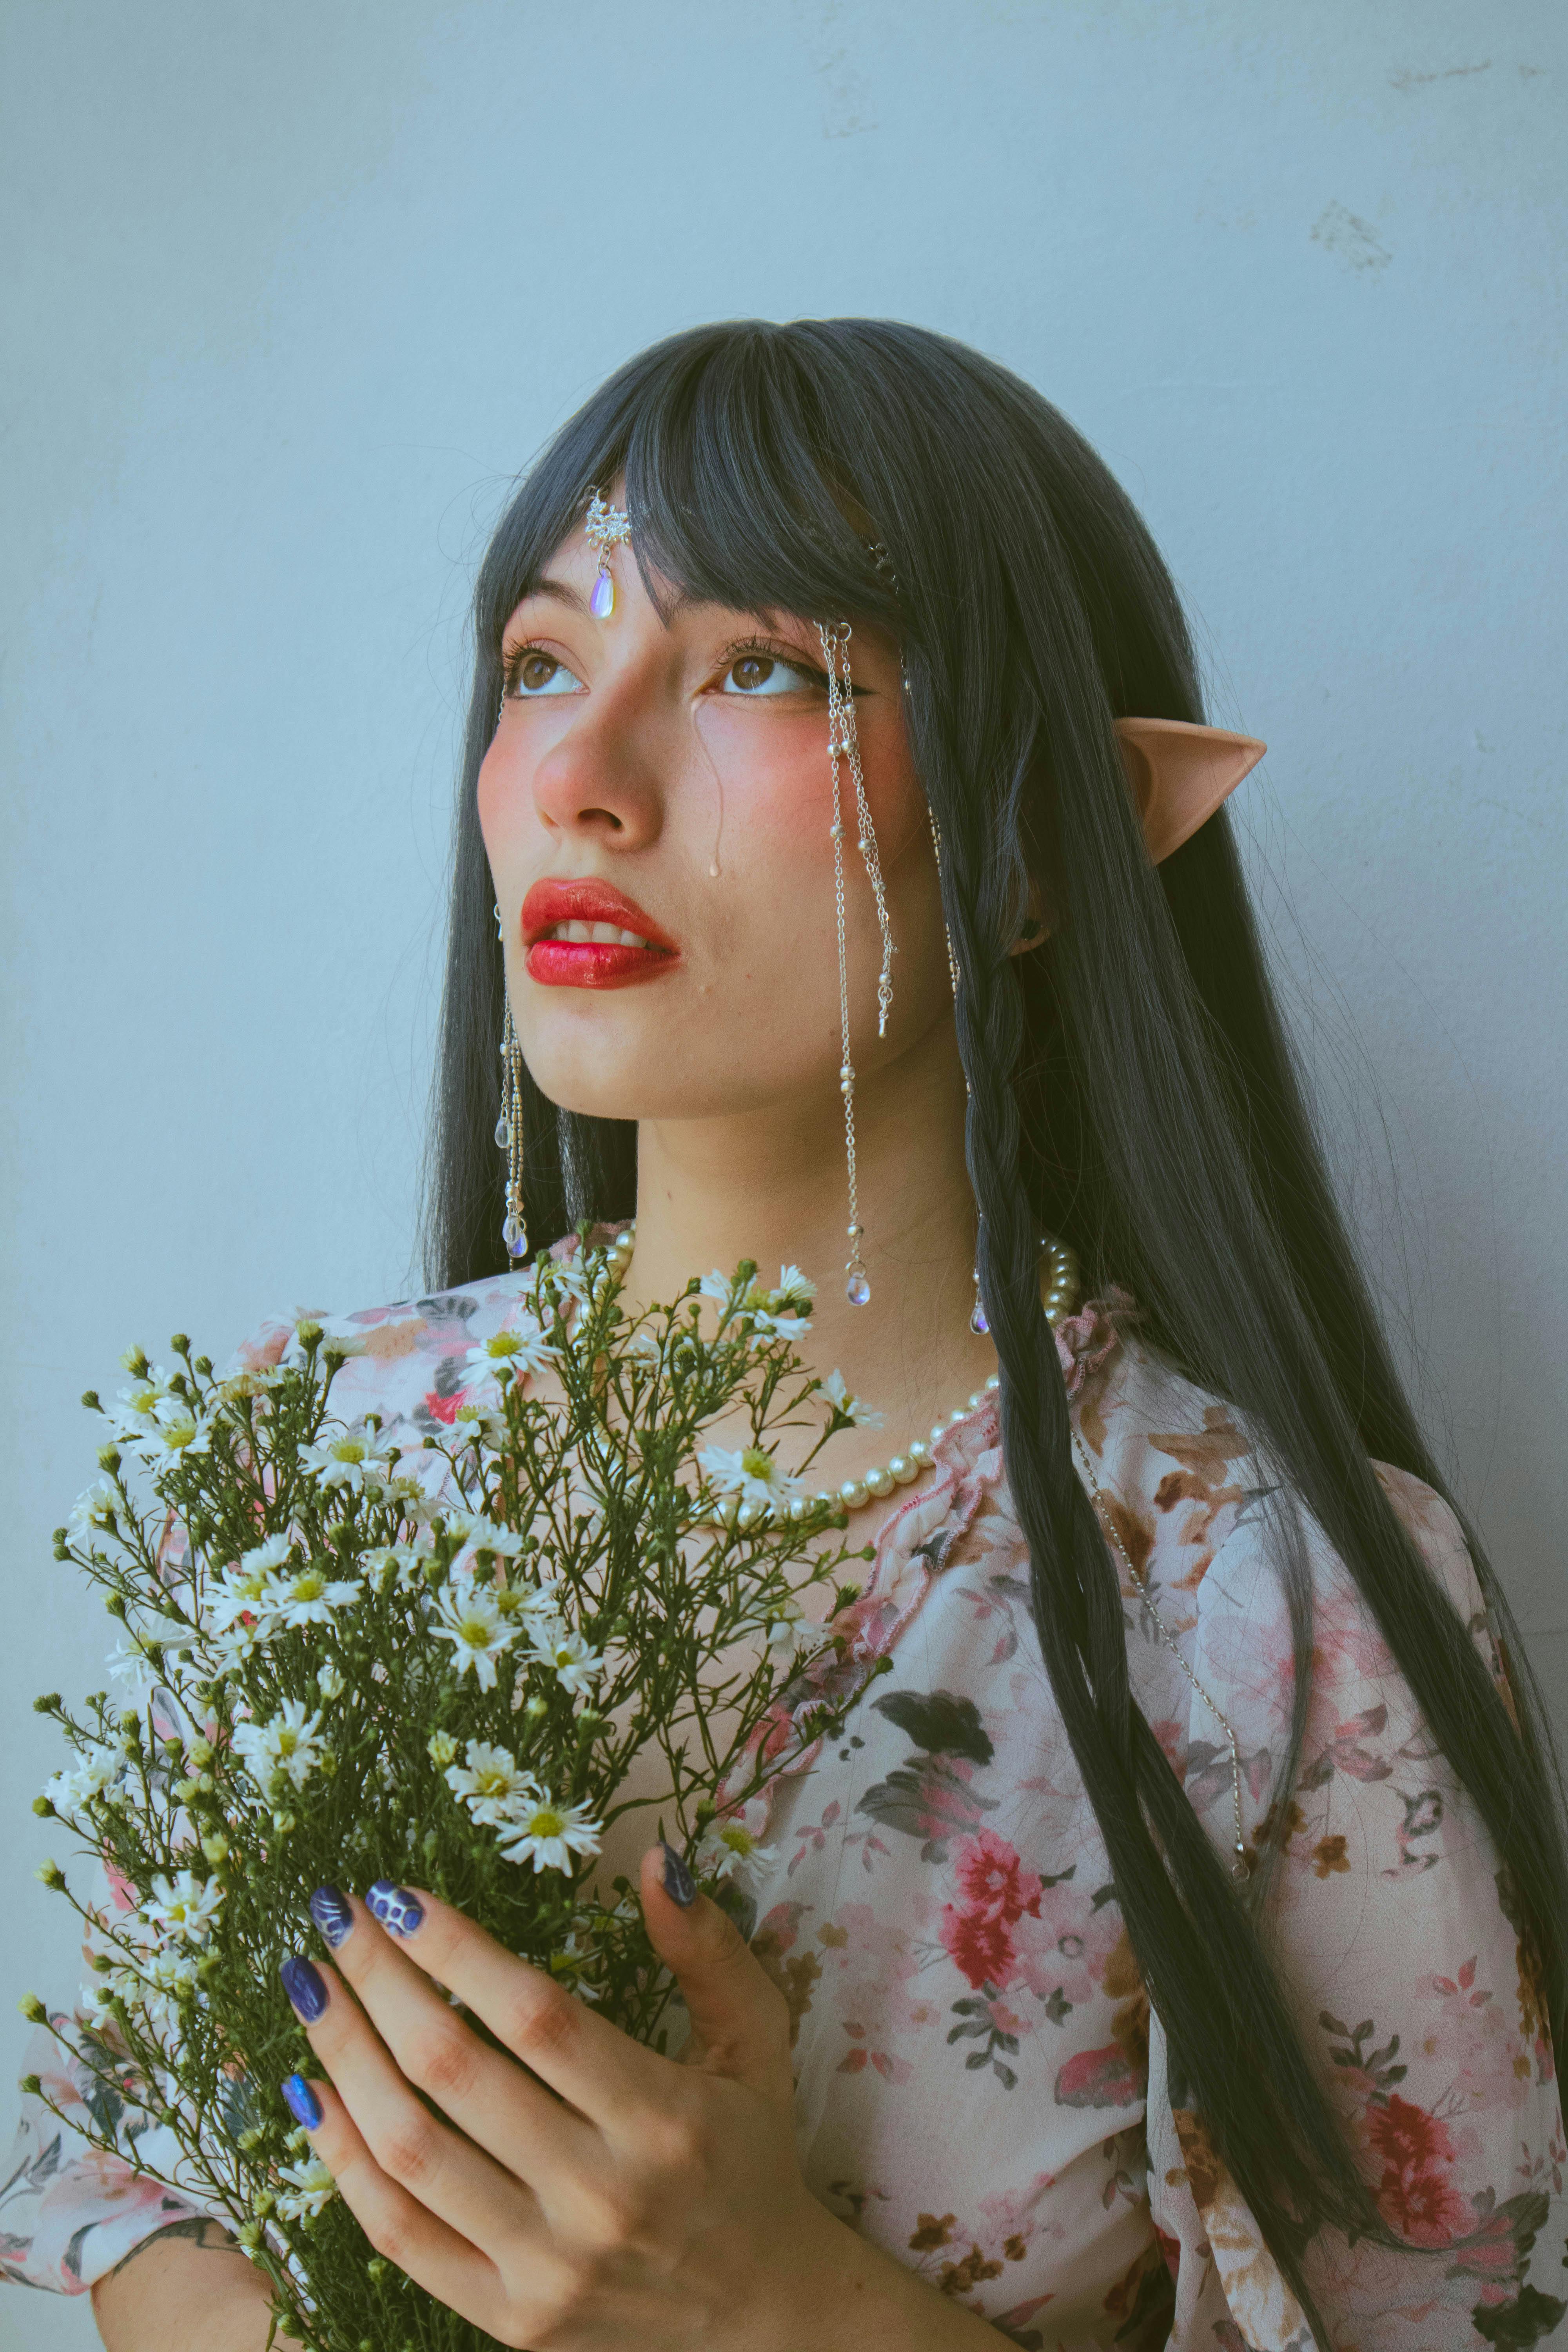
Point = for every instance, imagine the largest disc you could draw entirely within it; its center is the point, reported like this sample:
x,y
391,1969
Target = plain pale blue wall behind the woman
x,y
293,290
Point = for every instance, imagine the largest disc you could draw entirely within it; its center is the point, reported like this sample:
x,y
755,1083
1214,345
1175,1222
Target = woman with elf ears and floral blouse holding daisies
x,y
1172,1953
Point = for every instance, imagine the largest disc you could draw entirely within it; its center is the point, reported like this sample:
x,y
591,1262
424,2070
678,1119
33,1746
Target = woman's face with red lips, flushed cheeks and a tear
x,y
671,782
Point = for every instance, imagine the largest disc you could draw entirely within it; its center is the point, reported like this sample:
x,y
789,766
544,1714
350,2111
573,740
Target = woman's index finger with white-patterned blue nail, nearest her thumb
x,y
596,2069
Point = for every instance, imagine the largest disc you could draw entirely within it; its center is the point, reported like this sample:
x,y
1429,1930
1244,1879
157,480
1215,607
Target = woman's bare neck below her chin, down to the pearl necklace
x,y
770,1187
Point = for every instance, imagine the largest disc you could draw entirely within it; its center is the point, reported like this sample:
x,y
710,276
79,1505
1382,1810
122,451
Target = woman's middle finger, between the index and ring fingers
x,y
495,2102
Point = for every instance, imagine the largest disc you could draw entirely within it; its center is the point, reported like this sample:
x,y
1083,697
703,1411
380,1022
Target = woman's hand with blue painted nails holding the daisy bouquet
x,y
584,2196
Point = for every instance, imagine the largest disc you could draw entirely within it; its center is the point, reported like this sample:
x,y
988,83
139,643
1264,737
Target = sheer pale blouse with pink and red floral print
x,y
981,2085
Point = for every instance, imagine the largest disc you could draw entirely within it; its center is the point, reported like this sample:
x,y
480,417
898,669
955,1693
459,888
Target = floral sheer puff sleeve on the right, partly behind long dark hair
x,y
1393,1927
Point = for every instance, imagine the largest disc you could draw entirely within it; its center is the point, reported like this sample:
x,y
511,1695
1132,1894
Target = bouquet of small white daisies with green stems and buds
x,y
351,1662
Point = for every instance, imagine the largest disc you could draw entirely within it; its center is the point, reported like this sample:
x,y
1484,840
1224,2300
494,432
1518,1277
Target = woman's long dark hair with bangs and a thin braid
x,y
1130,1085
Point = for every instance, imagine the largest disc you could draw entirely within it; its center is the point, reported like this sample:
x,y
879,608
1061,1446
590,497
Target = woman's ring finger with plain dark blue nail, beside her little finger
x,y
417,2151
